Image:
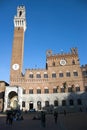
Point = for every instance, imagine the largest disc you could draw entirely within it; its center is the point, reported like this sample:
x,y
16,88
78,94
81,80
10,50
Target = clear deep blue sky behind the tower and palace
x,y
51,25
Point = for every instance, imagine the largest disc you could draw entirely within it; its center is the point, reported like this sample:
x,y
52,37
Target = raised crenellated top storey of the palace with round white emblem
x,y
70,58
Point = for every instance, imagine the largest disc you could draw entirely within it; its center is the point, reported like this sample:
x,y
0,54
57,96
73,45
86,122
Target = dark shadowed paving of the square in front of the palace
x,y
73,121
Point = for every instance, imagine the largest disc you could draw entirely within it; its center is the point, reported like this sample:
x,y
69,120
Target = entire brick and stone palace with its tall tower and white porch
x,y
61,85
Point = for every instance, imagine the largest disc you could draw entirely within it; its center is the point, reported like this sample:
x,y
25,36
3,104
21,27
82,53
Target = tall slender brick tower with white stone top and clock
x,y
18,44
